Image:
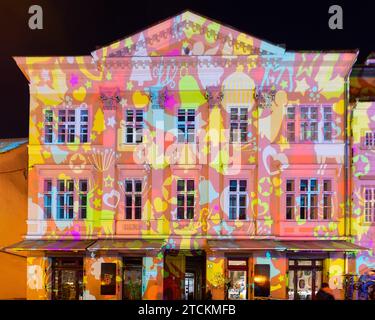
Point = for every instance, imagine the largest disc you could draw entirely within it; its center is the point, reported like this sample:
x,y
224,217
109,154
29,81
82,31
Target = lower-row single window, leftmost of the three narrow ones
x,y
133,199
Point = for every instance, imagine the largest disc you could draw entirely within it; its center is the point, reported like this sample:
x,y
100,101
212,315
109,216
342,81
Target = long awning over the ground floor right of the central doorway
x,y
280,245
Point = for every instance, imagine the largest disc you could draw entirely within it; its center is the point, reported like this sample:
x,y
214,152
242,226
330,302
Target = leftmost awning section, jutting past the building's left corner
x,y
50,245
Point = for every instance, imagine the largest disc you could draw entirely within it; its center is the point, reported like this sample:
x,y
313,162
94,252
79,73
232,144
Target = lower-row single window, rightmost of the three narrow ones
x,y
237,199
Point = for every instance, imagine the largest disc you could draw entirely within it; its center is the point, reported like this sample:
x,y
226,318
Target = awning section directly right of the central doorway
x,y
243,245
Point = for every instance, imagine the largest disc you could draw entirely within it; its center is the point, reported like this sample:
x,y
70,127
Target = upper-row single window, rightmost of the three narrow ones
x,y
238,125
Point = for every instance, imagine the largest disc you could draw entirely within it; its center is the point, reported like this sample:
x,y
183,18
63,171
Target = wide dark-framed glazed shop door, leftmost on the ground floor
x,y
67,278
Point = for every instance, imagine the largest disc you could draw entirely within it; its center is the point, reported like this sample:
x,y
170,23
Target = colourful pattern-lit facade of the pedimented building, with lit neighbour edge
x,y
192,160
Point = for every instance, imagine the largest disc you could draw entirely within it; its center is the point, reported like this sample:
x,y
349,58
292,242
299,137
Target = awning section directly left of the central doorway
x,y
125,245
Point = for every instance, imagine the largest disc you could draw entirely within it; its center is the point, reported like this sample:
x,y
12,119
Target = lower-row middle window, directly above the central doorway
x,y
185,199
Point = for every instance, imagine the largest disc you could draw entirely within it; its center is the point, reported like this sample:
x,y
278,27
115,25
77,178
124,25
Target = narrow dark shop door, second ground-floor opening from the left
x,y
132,279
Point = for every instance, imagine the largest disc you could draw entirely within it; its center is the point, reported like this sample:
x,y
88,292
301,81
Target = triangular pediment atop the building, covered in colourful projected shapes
x,y
172,36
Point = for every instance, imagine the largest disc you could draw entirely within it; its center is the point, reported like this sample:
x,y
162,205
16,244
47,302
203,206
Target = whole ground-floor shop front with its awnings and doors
x,y
221,270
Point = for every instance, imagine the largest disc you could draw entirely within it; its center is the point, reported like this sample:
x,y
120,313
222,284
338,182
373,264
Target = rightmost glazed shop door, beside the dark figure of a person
x,y
305,279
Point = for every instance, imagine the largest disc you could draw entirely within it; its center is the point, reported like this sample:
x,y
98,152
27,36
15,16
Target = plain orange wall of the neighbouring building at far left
x,y
13,215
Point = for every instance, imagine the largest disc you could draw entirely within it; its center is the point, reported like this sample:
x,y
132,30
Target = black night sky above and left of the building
x,y
77,27
